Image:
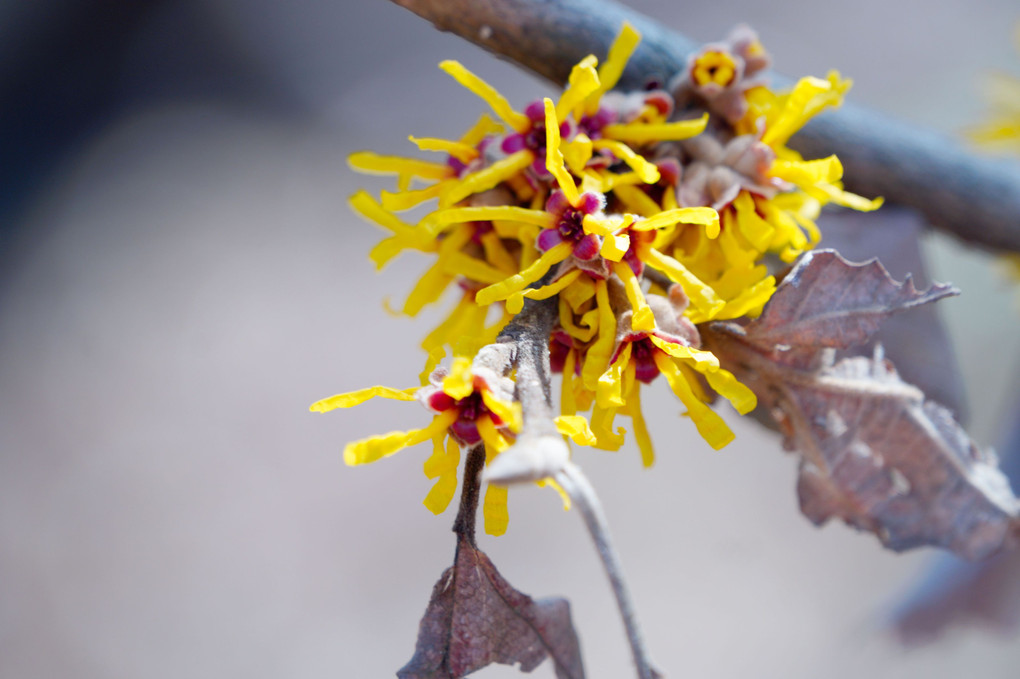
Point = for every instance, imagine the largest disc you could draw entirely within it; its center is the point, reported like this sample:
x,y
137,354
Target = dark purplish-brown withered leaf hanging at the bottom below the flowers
x,y
476,618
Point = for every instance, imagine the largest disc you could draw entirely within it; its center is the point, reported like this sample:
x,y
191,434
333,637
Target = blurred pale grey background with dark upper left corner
x,y
180,278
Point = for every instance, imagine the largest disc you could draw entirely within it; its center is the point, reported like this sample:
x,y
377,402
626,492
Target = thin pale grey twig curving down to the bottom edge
x,y
585,498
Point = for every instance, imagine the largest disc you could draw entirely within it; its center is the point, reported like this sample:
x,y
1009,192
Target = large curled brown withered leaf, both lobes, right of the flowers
x,y
874,451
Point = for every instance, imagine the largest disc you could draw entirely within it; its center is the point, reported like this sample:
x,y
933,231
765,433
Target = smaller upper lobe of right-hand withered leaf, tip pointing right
x,y
826,301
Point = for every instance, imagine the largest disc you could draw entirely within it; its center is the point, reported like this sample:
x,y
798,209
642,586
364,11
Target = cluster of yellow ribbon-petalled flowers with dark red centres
x,y
639,216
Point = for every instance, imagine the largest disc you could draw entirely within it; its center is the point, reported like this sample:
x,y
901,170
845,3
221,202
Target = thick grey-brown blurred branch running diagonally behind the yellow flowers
x,y
977,199
